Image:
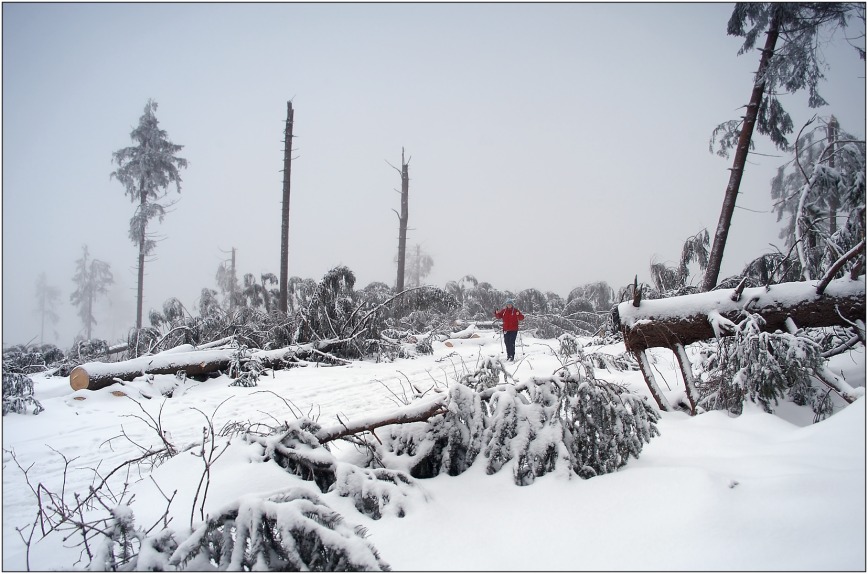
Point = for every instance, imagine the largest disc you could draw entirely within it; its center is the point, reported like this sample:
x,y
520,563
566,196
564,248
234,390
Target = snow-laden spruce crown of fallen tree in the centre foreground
x,y
569,423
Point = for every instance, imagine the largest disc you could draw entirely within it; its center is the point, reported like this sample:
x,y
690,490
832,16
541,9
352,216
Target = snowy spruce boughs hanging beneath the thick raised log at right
x,y
762,367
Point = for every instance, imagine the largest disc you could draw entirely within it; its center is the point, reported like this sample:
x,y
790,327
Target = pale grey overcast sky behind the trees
x,y
551,145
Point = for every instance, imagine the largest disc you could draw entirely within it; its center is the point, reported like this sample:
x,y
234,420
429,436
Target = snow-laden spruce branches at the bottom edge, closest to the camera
x,y
293,530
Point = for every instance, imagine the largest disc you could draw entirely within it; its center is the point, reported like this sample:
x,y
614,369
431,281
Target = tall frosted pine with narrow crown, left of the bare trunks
x,y
146,170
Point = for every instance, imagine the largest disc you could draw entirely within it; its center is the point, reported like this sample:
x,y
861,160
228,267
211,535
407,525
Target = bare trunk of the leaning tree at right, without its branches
x,y
715,258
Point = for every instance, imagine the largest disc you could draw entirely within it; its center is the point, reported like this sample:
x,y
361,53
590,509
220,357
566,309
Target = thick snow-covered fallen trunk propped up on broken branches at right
x,y
690,318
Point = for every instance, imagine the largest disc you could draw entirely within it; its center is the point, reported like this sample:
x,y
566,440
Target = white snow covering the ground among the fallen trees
x,y
712,492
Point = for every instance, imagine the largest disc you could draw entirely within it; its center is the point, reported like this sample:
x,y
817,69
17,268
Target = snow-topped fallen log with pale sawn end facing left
x,y
96,375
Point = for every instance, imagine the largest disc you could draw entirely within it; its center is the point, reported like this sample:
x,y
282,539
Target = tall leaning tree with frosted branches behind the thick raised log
x,y
790,61
